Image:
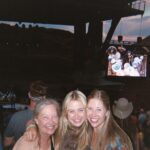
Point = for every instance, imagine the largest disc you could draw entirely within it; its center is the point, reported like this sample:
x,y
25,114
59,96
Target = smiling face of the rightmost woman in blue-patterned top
x,y
96,112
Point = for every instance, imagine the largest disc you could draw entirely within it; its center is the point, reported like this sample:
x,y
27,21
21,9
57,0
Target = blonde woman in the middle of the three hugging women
x,y
72,132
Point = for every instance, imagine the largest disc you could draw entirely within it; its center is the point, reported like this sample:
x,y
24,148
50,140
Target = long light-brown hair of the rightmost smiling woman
x,y
110,130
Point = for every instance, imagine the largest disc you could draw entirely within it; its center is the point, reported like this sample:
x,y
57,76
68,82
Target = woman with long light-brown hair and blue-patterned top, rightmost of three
x,y
105,133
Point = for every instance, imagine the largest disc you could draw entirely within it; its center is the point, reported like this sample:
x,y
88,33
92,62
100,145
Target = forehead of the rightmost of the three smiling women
x,y
94,102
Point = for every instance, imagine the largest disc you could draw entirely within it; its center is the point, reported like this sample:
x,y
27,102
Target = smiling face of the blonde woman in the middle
x,y
76,113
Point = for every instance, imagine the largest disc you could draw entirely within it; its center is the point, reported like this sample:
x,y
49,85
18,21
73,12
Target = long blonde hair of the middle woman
x,y
65,124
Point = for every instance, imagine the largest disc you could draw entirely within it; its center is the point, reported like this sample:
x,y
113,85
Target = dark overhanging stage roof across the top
x,y
67,12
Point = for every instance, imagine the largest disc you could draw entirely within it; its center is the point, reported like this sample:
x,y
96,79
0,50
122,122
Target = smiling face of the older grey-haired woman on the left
x,y
47,120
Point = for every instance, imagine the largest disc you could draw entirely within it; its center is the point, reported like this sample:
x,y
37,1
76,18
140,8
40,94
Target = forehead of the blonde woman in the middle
x,y
74,103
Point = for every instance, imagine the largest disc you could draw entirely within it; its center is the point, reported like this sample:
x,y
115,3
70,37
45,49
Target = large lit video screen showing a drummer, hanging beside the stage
x,y
126,63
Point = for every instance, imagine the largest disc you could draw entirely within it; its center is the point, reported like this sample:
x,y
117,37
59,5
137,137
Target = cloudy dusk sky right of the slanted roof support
x,y
132,27
